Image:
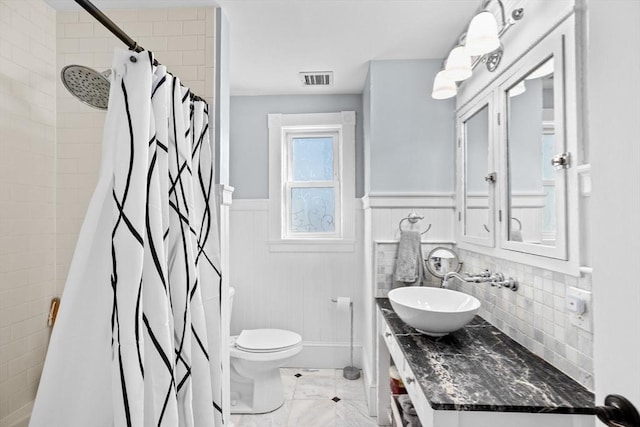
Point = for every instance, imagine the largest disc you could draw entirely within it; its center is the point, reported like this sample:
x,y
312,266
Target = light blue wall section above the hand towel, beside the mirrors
x,y
411,137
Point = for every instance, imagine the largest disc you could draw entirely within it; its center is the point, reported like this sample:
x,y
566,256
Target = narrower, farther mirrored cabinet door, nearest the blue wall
x,y
478,178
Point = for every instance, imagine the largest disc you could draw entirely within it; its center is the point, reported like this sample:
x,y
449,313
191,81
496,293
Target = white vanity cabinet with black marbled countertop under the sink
x,y
475,377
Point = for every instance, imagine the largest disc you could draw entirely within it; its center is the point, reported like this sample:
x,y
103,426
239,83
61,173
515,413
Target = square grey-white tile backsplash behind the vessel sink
x,y
535,316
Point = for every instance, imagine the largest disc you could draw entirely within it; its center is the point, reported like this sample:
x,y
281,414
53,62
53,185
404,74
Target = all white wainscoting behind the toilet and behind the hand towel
x,y
293,290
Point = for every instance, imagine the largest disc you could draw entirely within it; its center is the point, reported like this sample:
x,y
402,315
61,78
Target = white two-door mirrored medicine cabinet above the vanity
x,y
514,156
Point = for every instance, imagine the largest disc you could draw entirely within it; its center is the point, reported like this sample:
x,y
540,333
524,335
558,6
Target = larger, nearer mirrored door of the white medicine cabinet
x,y
534,146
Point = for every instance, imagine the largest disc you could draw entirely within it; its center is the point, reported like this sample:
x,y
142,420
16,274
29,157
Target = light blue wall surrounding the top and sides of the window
x,y
249,138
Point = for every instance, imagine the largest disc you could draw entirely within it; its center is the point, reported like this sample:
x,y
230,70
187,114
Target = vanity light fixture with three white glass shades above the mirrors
x,y
480,43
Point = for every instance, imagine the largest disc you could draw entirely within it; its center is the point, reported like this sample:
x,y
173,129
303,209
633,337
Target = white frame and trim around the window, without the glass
x,y
281,126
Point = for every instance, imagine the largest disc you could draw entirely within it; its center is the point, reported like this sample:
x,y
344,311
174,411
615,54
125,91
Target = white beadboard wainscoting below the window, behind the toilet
x,y
293,290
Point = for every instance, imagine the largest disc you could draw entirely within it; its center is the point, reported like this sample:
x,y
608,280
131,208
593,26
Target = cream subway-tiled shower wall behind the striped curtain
x,y
50,145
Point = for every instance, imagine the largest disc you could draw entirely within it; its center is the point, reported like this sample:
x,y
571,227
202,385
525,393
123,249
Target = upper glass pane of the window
x,y
313,159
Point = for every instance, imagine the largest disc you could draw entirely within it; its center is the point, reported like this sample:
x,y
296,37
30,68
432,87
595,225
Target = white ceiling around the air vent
x,y
272,40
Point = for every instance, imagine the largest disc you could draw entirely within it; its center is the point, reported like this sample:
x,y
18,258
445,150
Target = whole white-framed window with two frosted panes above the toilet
x,y
312,180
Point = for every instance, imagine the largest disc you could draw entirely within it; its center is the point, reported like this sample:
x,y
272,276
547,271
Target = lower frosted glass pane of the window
x,y
312,210
